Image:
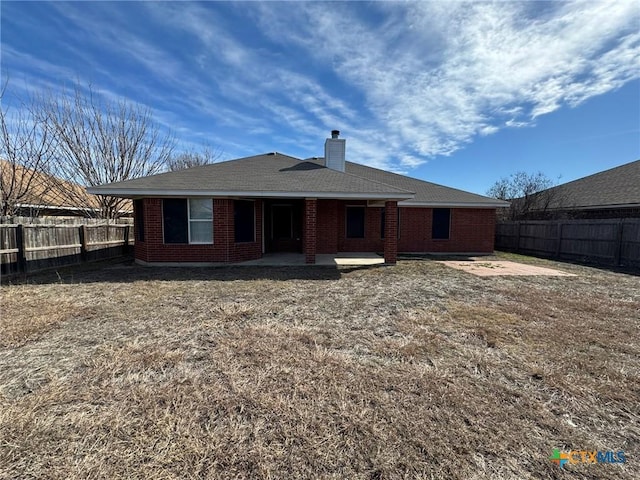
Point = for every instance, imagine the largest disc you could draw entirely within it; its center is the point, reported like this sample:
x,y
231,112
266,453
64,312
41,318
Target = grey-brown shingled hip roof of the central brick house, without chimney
x,y
279,175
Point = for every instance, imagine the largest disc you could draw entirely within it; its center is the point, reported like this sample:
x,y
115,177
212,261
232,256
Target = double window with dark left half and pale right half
x,y
187,221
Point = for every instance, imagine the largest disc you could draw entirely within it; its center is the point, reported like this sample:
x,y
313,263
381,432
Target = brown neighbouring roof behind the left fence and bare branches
x,y
47,192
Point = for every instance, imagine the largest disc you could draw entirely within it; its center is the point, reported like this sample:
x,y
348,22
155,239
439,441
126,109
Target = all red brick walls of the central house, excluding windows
x,y
472,230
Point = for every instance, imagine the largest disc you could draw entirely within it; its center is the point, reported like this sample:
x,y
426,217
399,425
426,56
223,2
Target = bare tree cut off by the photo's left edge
x,y
25,149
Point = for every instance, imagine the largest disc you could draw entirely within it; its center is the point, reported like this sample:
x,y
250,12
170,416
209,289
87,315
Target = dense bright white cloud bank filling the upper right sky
x,y
436,74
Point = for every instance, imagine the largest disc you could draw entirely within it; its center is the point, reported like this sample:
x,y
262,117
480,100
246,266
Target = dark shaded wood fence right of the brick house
x,y
613,242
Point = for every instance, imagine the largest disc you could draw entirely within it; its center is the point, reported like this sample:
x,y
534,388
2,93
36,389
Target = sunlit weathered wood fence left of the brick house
x,y
29,248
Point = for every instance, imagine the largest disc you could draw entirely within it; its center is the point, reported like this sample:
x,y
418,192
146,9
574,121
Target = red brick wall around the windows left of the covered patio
x,y
223,249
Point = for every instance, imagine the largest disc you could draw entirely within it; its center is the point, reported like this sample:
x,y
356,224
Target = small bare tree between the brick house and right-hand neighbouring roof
x,y
530,194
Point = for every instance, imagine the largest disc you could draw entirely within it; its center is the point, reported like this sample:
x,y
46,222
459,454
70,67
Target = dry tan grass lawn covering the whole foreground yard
x,y
411,371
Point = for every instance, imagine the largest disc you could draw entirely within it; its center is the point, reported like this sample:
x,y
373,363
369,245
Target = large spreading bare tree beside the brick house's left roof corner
x,y
102,141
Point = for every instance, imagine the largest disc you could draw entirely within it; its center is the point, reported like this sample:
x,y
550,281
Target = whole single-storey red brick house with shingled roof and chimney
x,y
241,209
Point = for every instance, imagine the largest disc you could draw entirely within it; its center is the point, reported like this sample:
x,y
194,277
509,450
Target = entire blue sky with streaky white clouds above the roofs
x,y
451,92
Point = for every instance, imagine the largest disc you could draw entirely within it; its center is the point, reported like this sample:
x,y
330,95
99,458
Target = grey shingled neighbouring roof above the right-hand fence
x,y
617,187
